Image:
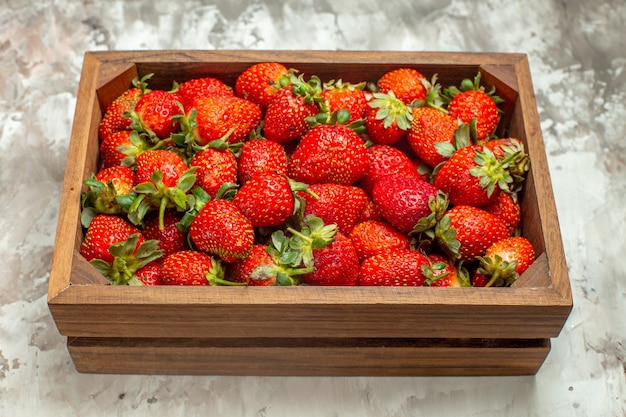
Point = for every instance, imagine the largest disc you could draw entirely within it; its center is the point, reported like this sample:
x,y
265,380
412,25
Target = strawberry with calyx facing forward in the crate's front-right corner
x,y
504,261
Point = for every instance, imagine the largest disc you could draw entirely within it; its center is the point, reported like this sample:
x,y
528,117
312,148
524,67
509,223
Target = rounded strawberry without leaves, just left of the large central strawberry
x,y
260,155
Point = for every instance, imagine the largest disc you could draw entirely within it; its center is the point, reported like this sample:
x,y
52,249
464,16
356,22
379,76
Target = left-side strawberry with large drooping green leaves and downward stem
x,y
163,180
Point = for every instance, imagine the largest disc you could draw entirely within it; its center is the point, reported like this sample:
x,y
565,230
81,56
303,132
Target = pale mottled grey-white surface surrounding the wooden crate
x,y
577,54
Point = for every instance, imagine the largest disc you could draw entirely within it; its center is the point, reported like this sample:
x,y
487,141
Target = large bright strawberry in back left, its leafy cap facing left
x,y
229,118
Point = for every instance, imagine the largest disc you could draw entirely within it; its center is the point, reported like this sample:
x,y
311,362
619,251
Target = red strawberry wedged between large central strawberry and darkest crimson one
x,y
385,160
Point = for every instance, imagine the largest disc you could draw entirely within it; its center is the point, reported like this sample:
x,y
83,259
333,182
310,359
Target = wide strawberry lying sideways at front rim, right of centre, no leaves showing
x,y
398,267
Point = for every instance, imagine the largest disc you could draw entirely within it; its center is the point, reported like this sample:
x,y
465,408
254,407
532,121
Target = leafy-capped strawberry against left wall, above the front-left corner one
x,y
110,191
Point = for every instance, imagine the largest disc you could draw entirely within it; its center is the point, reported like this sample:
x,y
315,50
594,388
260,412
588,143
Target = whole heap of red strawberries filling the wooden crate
x,y
278,180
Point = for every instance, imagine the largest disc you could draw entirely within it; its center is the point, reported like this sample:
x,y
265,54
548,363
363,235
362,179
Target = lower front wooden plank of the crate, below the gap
x,y
314,357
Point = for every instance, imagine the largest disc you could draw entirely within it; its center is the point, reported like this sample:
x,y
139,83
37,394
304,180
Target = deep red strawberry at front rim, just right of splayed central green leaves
x,y
335,264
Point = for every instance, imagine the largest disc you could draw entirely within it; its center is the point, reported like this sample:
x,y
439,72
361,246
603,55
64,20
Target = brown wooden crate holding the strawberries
x,y
309,330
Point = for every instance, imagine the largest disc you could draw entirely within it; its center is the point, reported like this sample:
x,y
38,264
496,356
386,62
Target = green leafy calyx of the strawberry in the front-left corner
x,y
127,259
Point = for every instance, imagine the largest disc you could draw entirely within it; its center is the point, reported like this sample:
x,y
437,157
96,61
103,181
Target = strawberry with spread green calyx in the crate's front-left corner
x,y
117,249
